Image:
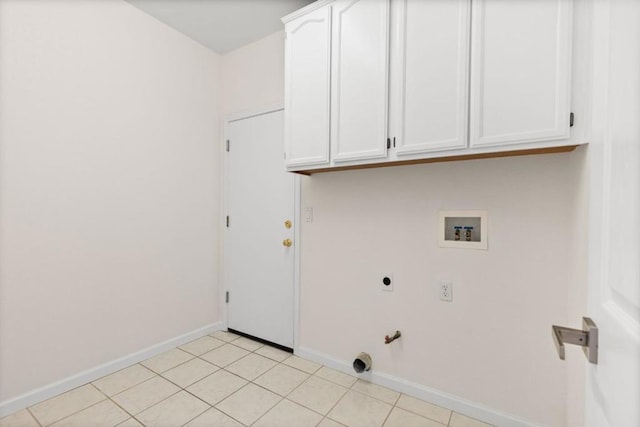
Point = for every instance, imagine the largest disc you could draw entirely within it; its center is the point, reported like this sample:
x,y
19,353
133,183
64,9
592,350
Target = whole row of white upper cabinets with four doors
x,y
406,81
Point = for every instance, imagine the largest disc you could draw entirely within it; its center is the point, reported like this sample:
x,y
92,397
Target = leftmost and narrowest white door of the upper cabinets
x,y
307,89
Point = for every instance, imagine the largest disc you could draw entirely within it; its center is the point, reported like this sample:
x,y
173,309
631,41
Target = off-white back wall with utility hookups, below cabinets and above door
x,y
492,345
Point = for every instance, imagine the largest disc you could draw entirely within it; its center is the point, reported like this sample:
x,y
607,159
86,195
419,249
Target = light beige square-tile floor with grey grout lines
x,y
231,381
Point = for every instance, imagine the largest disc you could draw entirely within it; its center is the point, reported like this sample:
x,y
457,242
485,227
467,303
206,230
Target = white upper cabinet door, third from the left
x,y
430,53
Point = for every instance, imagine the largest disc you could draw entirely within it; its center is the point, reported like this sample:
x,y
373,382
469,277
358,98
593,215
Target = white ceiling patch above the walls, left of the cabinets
x,y
221,25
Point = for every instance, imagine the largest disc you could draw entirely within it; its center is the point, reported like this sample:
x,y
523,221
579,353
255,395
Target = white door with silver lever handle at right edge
x,y
613,385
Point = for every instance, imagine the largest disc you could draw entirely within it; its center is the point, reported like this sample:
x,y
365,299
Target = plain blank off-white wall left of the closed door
x,y
109,187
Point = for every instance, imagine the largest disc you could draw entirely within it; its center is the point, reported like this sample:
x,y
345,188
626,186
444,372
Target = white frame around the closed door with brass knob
x,y
224,209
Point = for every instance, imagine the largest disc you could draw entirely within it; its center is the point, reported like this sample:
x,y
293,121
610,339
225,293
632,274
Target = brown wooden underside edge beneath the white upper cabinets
x,y
546,150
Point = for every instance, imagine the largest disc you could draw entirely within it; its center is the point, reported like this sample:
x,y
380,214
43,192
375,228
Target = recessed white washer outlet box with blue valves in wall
x,y
463,229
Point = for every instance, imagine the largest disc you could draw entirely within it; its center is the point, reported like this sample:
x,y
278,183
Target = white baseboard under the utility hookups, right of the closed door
x,y
437,397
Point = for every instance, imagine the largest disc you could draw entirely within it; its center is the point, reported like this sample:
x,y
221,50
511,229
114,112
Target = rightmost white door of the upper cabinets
x,y
520,71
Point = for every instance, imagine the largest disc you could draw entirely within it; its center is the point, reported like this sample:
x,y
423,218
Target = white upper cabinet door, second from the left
x,y
359,79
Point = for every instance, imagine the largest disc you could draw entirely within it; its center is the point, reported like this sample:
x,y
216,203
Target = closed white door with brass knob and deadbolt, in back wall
x,y
260,198
